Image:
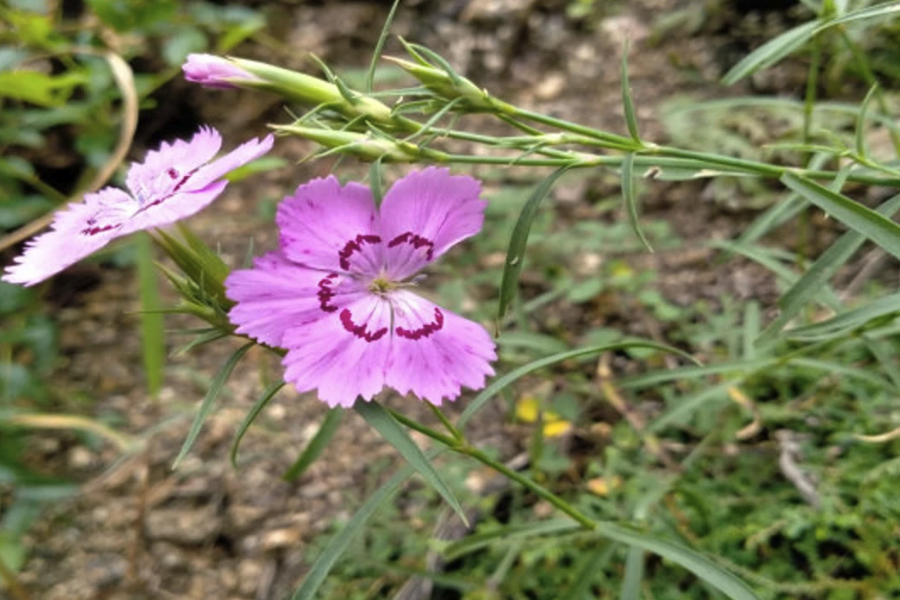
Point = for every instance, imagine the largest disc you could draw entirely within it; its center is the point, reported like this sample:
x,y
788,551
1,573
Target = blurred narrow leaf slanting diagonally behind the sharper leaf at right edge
x,y
817,275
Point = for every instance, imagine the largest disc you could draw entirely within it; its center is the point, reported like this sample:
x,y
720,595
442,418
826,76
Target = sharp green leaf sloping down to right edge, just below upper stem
x,y
854,215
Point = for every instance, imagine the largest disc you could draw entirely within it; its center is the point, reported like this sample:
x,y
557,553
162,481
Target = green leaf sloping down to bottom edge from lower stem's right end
x,y
693,561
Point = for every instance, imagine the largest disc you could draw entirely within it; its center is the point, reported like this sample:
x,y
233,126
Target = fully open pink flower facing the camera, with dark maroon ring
x,y
337,296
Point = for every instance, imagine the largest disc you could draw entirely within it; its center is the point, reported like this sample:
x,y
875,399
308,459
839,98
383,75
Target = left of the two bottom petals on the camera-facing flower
x,y
344,355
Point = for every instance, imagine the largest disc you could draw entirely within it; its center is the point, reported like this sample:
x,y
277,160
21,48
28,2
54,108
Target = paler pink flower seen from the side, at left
x,y
172,183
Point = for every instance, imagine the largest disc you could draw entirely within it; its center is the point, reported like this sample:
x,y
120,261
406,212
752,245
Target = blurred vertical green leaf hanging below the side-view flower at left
x,y
153,343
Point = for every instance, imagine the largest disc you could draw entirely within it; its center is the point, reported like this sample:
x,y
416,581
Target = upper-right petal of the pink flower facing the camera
x,y
426,213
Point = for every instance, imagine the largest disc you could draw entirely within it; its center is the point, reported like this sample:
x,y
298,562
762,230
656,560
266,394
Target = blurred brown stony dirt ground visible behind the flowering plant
x,y
138,530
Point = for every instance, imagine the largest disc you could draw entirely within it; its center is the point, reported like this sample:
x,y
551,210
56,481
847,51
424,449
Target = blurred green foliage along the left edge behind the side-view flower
x,y
60,115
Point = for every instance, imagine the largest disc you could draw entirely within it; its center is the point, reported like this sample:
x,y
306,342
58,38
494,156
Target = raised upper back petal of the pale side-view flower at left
x,y
163,171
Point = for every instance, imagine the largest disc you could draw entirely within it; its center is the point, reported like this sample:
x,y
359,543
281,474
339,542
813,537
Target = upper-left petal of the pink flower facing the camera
x,y
327,226
